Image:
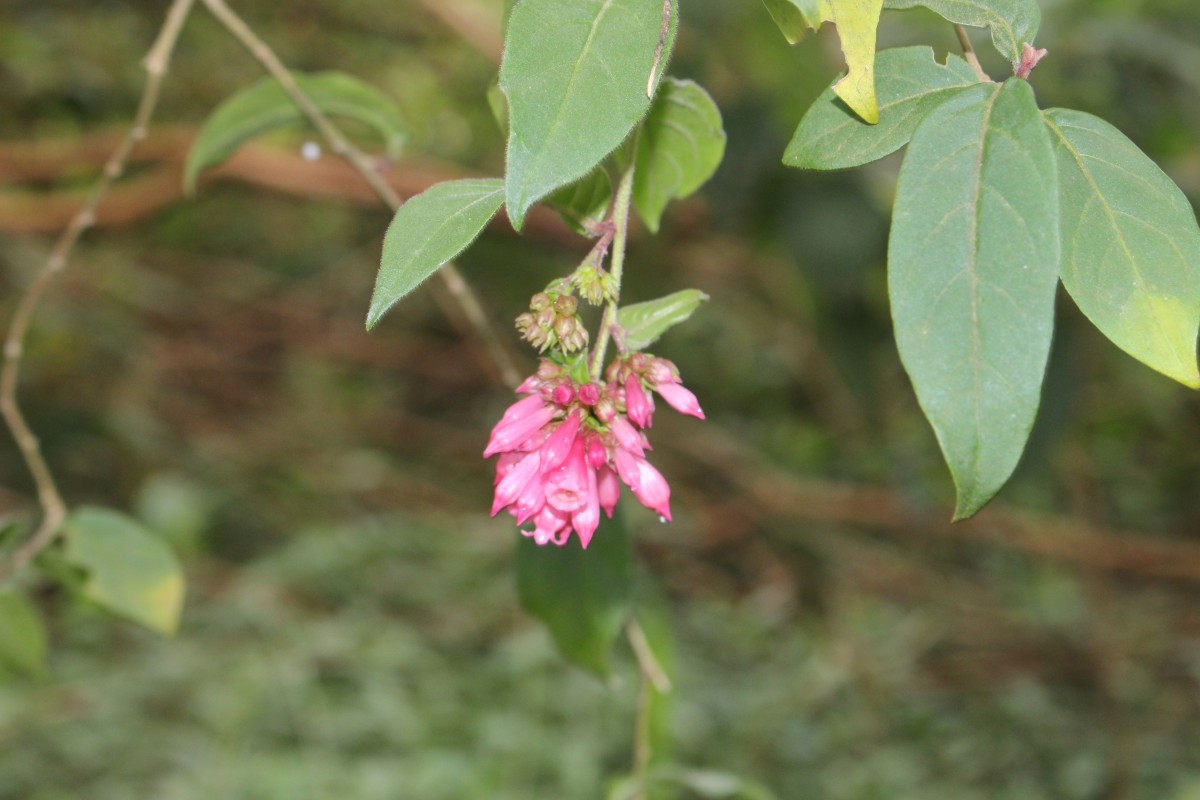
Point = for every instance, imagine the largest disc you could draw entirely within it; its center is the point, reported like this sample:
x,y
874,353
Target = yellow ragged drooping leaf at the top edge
x,y
857,22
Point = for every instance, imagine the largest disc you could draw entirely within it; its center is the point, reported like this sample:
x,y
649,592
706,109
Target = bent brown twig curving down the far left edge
x,y
50,498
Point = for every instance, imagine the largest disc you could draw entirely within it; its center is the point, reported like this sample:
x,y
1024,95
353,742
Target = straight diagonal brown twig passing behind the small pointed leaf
x,y
461,292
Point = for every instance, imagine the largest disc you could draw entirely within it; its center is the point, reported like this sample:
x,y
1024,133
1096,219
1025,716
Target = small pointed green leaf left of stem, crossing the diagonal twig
x,y
429,231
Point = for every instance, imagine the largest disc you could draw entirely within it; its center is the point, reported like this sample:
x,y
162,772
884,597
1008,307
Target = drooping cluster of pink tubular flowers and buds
x,y
566,449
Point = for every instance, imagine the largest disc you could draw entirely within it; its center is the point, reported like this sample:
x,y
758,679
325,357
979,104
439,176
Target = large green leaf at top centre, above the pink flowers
x,y
578,75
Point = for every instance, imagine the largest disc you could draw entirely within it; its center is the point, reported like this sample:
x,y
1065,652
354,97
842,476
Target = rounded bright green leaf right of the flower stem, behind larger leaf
x,y
681,147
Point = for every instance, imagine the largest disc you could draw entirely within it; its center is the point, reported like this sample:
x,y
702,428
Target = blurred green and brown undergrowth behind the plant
x,y
352,628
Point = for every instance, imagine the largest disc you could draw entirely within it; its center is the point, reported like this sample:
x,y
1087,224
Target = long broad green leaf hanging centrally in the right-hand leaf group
x,y
973,273
